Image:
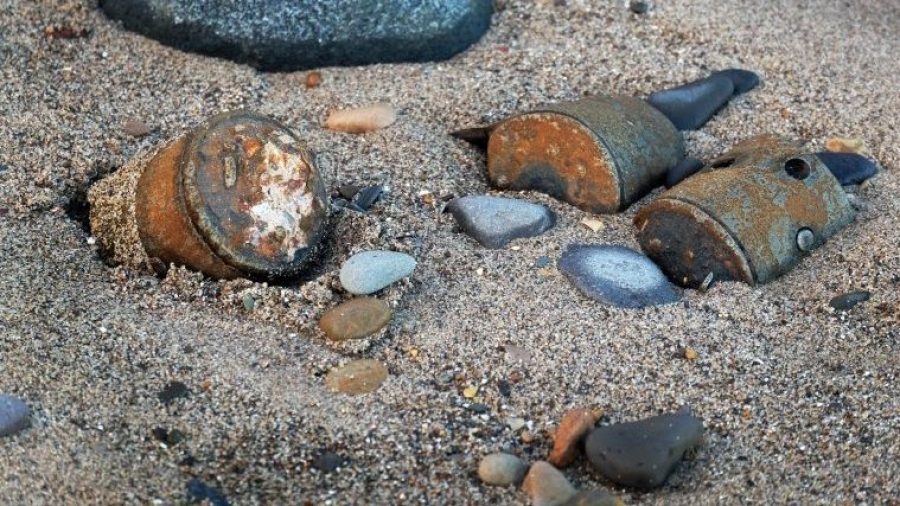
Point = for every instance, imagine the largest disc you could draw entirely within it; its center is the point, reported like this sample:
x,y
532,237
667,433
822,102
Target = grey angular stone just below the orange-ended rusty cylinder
x,y
494,221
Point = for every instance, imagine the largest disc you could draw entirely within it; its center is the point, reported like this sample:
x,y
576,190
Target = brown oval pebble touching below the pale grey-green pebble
x,y
355,319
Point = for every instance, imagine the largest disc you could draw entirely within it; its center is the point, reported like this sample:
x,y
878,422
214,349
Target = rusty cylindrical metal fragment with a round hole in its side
x,y
750,216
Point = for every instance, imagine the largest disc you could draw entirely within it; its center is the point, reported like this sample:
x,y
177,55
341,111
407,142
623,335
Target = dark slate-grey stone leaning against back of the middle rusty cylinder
x,y
691,105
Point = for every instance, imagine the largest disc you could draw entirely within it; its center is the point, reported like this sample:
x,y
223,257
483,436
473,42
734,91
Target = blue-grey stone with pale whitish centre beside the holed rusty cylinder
x,y
617,276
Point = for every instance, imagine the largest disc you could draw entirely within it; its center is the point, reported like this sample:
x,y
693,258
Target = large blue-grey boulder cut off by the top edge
x,y
303,34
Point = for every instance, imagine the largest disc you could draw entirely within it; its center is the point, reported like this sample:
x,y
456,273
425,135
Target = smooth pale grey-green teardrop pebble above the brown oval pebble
x,y
370,271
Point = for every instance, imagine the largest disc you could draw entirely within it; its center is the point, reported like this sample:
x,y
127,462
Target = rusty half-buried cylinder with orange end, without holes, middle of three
x,y
599,153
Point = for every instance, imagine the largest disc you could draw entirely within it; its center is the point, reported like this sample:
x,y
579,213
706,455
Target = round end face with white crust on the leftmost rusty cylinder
x,y
253,193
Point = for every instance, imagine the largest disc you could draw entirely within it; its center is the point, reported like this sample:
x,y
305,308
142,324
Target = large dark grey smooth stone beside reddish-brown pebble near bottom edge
x,y
642,454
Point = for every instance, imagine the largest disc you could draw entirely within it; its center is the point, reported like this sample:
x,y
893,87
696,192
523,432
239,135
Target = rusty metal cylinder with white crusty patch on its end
x,y
238,196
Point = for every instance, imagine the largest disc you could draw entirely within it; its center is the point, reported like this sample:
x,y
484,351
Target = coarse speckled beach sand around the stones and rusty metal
x,y
799,401
